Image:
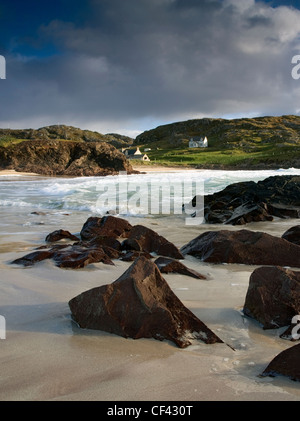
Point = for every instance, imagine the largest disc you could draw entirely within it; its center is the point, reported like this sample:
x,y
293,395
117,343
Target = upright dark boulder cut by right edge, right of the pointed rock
x,y
273,296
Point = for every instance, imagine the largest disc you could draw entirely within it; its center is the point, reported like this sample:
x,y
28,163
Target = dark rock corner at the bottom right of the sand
x,y
286,363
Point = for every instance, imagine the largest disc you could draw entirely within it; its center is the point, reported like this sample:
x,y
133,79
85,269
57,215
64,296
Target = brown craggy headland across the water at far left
x,y
67,158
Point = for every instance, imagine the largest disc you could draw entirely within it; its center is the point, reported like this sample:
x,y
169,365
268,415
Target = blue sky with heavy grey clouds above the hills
x,y
126,66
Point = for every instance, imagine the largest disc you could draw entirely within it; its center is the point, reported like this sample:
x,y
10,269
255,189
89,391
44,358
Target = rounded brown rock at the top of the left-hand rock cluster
x,y
108,225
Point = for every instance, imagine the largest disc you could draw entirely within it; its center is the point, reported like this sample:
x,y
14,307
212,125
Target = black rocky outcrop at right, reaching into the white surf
x,y
241,203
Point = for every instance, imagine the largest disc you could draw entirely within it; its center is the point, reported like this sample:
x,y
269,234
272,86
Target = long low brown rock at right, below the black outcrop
x,y
245,247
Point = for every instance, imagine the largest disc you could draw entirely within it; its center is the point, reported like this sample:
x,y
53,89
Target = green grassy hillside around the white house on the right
x,y
239,143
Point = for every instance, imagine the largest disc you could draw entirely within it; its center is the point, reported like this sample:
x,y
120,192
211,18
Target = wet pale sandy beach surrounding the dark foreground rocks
x,y
47,357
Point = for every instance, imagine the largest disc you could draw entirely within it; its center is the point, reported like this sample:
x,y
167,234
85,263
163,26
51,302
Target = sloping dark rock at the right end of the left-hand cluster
x,y
152,242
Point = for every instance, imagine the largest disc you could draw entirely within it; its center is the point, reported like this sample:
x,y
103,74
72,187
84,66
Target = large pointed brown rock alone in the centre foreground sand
x,y
140,304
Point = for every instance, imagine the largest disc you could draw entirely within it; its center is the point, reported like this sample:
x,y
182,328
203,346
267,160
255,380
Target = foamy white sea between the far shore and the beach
x,y
152,194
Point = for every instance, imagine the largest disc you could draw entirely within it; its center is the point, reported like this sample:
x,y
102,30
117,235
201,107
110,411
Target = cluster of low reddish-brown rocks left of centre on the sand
x,y
100,241
